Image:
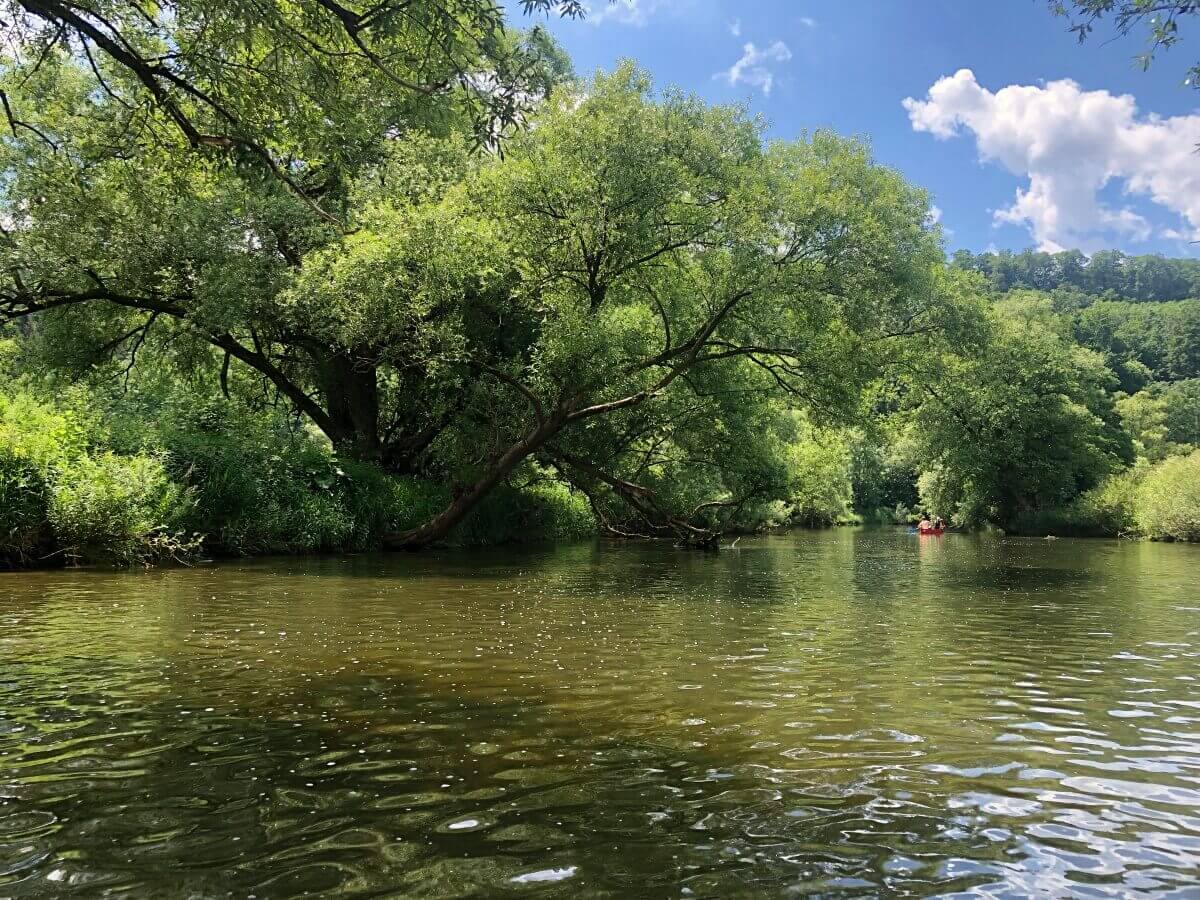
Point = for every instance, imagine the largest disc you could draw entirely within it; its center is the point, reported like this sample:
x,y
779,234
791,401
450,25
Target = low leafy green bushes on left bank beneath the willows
x,y
219,485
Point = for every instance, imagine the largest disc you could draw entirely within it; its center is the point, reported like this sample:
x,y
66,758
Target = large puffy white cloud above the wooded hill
x,y
1071,143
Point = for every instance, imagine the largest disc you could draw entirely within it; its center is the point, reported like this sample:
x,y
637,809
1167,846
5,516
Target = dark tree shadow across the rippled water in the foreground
x,y
470,799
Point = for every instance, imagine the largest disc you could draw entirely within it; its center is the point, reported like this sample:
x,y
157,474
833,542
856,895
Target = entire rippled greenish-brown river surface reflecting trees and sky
x,y
843,715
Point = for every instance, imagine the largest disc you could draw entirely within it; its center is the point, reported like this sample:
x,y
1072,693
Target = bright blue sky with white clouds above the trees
x,y
1012,155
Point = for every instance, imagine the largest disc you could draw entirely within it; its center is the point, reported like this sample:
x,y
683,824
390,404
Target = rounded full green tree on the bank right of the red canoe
x,y
1024,424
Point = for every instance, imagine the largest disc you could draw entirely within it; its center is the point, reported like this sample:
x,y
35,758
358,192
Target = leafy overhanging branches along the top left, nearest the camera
x,y
316,83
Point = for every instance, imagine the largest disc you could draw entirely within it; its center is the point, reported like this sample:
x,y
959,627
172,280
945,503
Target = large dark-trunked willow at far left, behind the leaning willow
x,y
179,160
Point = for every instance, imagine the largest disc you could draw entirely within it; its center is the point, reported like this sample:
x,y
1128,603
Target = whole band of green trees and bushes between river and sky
x,y
297,302
